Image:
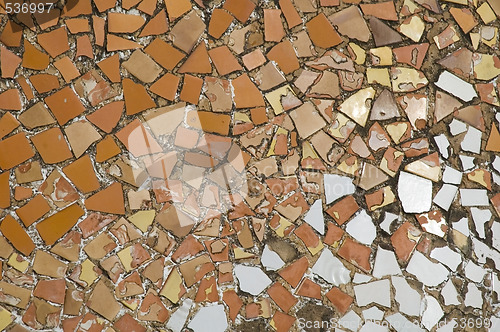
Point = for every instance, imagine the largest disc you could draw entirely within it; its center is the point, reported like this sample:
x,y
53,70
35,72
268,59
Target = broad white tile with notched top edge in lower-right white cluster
x,y
429,273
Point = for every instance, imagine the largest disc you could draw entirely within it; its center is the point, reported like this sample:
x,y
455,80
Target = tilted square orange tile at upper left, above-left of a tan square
x,y
65,105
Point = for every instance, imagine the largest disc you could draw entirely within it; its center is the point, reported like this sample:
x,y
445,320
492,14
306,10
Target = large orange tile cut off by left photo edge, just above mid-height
x,y
15,150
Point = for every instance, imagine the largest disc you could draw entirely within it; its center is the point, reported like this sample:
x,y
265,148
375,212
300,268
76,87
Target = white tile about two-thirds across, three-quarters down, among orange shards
x,y
331,268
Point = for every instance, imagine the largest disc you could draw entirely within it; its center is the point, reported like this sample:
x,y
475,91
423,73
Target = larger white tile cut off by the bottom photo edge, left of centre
x,y
211,318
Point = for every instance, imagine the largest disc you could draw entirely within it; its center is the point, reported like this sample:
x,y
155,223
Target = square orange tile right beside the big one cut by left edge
x,y
52,146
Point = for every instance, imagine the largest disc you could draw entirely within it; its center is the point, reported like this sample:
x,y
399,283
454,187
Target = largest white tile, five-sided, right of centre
x,y
415,193
